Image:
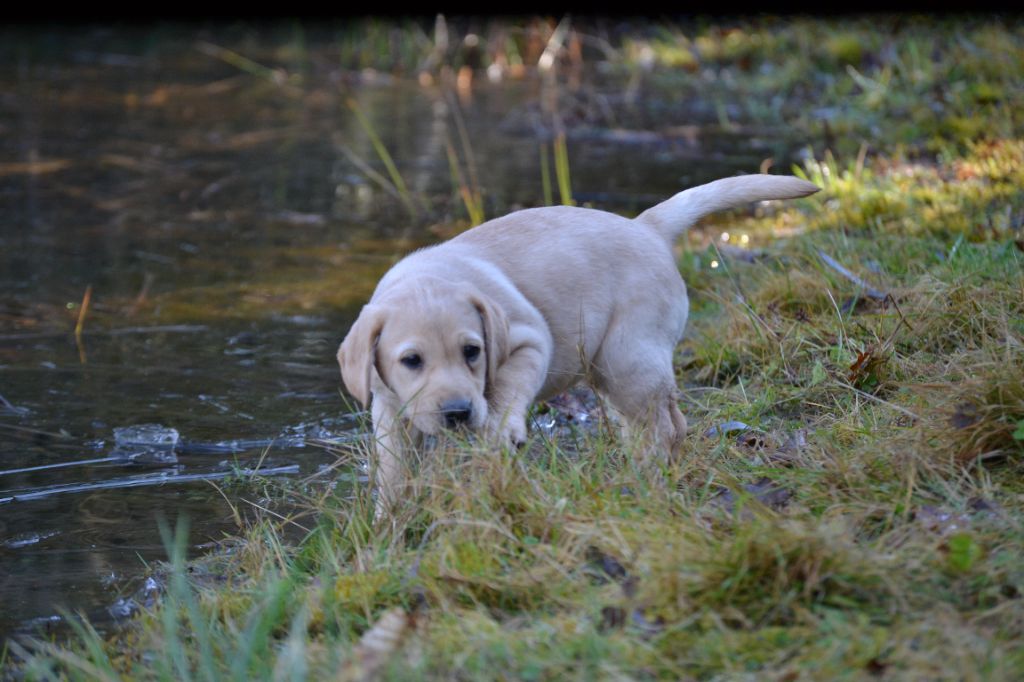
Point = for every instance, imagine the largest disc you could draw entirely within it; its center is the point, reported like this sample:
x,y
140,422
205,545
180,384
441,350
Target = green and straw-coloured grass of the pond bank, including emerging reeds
x,y
849,501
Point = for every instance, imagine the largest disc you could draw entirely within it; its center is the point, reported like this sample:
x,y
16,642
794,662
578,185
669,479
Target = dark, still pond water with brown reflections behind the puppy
x,y
228,230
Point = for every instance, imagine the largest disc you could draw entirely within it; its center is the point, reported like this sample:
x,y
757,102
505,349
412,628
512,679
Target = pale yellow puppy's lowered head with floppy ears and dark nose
x,y
434,348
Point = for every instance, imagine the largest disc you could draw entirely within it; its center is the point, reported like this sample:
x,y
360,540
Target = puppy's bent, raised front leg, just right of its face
x,y
518,382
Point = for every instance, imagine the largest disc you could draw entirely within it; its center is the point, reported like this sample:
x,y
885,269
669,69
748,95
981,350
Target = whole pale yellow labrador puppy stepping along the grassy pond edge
x,y
471,332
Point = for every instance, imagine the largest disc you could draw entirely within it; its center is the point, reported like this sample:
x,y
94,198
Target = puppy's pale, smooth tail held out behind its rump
x,y
671,219
